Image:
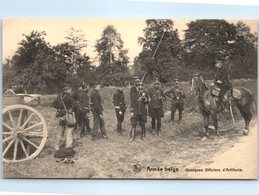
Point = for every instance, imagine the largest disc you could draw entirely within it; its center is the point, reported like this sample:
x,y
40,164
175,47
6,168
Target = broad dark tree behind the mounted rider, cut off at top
x,y
207,41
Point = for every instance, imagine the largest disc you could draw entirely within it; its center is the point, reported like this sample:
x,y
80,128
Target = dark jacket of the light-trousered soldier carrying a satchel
x,y
69,102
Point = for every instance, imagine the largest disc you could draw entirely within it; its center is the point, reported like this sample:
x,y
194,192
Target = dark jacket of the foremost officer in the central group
x,y
138,101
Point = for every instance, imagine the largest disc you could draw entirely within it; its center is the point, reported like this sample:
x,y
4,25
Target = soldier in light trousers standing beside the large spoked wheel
x,y
64,103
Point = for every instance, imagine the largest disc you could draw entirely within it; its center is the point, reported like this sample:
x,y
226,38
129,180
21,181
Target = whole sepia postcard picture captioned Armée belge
x,y
129,98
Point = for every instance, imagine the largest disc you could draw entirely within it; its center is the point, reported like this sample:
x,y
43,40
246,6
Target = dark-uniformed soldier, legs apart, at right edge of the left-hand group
x,y
97,110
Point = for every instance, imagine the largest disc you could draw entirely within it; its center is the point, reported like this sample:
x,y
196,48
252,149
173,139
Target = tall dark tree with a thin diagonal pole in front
x,y
160,50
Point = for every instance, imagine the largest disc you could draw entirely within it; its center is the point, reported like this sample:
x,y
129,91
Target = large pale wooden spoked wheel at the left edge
x,y
24,133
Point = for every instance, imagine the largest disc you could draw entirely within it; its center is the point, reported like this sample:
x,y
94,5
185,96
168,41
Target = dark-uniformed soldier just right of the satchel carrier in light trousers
x,y
84,109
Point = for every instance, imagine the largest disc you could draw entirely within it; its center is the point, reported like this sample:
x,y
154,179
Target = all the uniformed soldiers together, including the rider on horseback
x,y
143,103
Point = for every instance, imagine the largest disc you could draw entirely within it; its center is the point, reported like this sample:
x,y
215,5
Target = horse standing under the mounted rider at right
x,y
209,107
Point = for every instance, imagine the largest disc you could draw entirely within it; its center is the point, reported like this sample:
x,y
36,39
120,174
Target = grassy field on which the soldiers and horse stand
x,y
179,145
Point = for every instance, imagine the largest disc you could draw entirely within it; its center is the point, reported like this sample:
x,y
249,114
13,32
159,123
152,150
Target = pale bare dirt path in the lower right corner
x,y
238,162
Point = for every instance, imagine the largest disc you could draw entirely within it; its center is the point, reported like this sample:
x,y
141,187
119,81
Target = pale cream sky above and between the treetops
x,y
57,29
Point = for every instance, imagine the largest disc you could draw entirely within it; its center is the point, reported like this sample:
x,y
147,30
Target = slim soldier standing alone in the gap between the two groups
x,y
120,107
